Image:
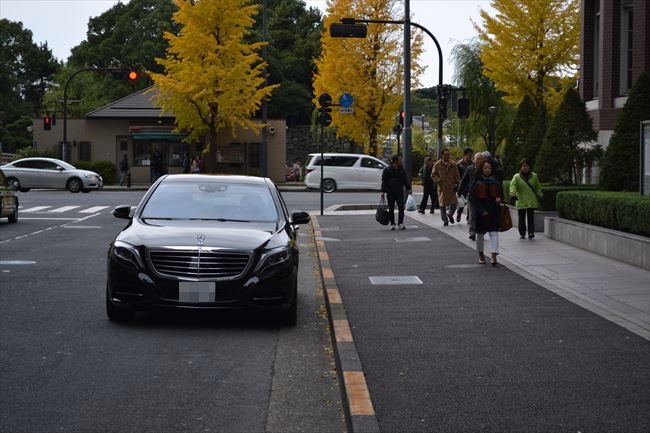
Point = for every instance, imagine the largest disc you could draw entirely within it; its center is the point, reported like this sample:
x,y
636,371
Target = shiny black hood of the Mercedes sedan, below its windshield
x,y
154,233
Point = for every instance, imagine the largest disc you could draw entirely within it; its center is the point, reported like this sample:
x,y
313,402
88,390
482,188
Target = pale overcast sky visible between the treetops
x,y
63,25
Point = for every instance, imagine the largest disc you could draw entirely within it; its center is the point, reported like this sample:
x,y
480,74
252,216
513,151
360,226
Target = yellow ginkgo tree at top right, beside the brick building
x,y
531,47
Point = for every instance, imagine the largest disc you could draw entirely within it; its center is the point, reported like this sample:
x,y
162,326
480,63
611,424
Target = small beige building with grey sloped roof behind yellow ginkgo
x,y
132,126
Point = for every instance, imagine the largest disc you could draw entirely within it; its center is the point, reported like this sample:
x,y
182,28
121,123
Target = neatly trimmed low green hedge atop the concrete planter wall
x,y
623,211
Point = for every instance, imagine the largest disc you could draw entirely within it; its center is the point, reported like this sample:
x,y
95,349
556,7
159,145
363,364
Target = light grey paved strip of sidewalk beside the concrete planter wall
x,y
616,291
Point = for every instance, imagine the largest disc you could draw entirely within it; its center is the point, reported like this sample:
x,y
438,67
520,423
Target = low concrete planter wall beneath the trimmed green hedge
x,y
624,247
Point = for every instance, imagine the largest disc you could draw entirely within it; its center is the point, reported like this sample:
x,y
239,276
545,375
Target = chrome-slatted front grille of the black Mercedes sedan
x,y
198,263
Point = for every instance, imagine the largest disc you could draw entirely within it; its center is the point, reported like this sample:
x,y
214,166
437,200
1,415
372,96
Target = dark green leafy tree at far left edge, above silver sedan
x,y
25,73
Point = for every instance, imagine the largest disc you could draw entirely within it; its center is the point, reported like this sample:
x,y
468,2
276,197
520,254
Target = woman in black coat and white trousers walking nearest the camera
x,y
486,196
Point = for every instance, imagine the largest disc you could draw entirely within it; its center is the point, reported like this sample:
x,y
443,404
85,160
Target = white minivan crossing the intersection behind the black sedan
x,y
344,171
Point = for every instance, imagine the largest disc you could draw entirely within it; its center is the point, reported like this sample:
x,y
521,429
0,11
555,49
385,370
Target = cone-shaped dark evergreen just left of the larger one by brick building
x,y
560,152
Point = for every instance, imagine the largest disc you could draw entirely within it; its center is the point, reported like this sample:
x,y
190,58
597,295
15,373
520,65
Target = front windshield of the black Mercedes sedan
x,y
220,201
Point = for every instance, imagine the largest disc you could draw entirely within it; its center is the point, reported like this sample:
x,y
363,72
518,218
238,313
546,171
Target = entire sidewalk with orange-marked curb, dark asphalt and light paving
x,y
445,353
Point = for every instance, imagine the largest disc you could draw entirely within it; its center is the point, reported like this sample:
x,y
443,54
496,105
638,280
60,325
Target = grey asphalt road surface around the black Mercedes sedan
x,y
65,367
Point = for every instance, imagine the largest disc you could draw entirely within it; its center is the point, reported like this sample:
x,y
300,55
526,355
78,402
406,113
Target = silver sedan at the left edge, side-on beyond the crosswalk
x,y
50,173
